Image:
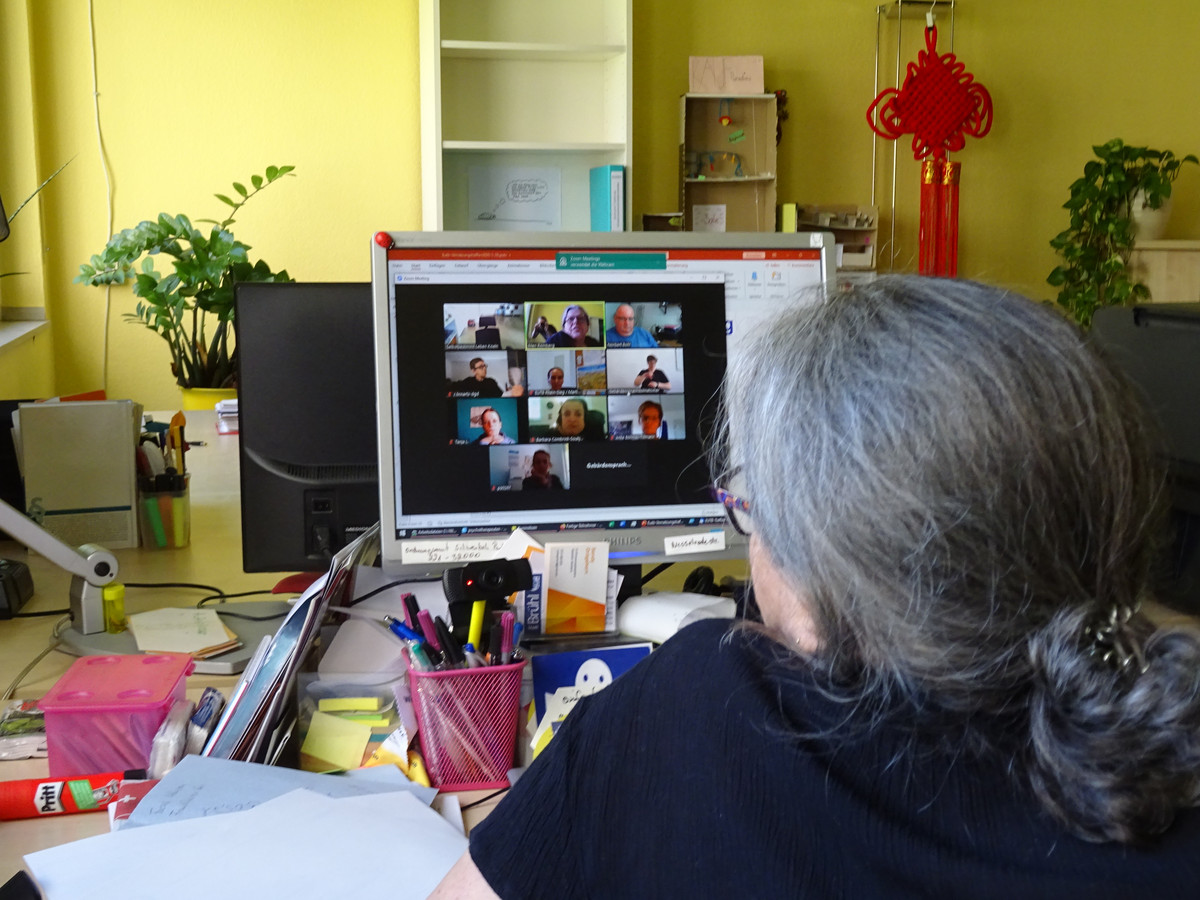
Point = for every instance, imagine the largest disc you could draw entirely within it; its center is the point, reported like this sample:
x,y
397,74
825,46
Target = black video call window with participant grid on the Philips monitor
x,y
529,392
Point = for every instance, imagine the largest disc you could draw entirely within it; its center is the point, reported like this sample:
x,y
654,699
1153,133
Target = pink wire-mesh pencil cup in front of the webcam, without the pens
x,y
467,722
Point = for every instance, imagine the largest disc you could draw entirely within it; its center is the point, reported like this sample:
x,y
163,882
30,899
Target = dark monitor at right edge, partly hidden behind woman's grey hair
x,y
1159,347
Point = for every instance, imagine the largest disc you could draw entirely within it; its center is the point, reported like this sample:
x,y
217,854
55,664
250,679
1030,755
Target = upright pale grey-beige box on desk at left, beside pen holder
x,y
80,471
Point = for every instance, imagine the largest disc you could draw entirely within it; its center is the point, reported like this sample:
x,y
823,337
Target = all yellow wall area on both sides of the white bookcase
x,y
195,97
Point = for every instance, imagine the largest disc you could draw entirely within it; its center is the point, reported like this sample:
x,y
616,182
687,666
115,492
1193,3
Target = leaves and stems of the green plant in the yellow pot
x,y
178,307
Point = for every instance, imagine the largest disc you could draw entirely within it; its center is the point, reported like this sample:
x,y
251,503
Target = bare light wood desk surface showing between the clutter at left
x,y
214,559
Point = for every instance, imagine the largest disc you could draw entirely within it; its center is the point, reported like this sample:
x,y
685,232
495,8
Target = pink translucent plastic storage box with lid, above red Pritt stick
x,y
104,713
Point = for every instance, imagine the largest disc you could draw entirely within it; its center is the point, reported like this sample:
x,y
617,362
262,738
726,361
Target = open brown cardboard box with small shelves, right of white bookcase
x,y
728,159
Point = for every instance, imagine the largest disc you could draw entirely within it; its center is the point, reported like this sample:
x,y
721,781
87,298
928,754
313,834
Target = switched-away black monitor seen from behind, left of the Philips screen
x,y
307,419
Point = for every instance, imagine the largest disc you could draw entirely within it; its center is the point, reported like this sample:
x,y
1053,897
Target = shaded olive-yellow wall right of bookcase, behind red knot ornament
x,y
1064,76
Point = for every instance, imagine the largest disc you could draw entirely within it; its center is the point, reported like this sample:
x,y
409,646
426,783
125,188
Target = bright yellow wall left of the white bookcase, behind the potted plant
x,y
193,98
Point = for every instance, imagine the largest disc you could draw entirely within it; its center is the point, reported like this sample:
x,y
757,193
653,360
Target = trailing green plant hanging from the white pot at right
x,y
1096,247
